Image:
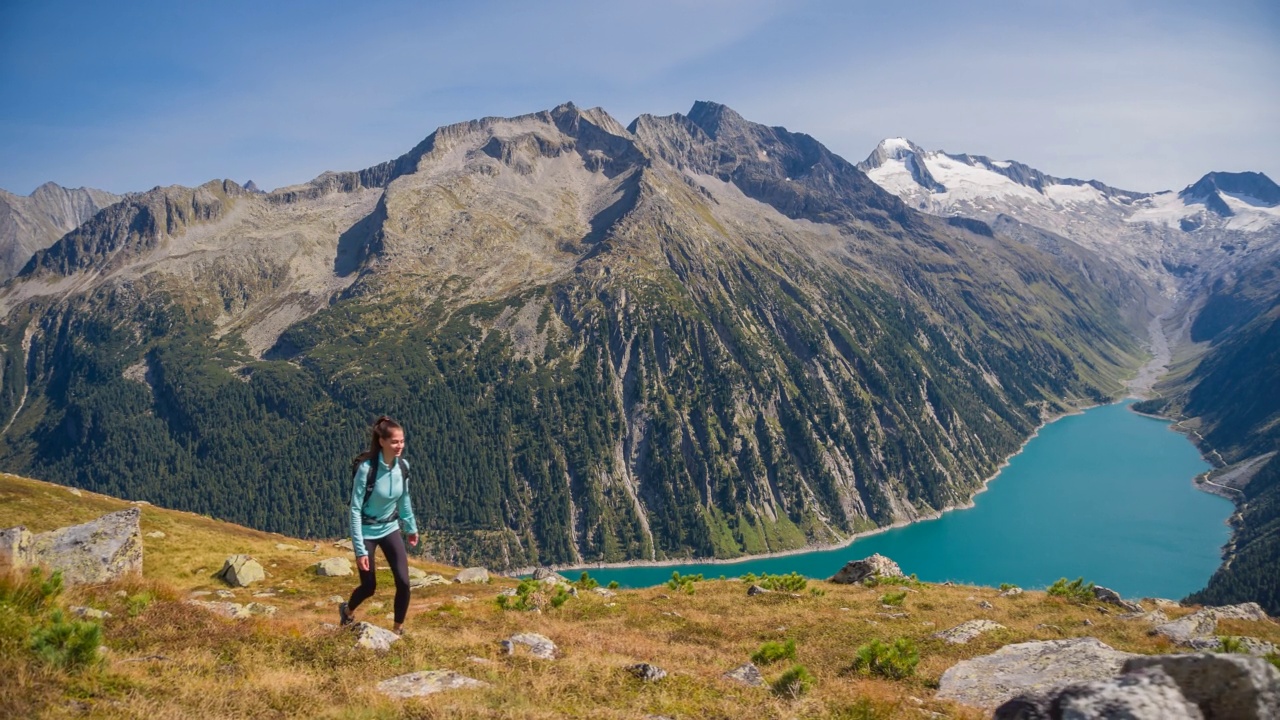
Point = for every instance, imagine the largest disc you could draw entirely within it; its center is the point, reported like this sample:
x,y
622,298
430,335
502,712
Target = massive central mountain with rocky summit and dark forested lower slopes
x,y
697,336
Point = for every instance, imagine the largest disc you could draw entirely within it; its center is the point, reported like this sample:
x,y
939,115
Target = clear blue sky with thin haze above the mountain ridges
x,y
126,97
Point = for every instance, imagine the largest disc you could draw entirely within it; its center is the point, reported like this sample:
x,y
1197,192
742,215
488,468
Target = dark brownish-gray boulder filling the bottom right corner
x,y
1223,686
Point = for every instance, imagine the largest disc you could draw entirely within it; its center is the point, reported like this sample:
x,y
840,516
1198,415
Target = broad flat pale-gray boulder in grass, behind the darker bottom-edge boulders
x,y
1018,669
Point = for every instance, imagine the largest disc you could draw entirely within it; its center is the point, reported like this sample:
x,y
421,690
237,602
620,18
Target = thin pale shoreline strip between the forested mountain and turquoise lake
x,y
819,548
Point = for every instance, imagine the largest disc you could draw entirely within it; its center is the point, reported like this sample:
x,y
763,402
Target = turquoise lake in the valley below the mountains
x,y
1105,495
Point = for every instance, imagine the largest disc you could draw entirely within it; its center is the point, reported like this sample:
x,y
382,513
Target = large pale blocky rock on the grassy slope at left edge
x,y
98,552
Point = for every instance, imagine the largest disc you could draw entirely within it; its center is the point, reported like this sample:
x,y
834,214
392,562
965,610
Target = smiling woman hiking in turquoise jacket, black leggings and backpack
x,y
380,504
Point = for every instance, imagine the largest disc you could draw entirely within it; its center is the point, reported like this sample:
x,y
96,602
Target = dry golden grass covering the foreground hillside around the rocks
x,y
175,660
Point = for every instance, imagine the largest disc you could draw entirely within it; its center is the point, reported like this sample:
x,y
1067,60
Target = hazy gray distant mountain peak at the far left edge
x,y
35,222
